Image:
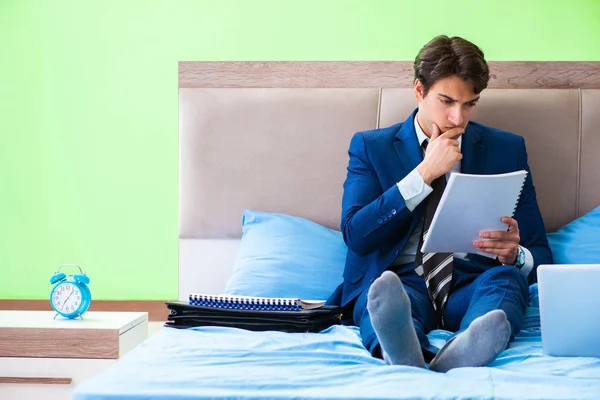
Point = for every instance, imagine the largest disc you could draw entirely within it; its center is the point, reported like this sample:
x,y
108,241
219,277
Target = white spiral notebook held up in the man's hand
x,y
472,204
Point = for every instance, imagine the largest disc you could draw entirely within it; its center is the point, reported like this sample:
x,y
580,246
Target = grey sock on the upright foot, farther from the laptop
x,y
389,309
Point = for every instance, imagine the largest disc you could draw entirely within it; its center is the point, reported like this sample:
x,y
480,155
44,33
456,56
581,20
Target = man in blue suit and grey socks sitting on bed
x,y
395,178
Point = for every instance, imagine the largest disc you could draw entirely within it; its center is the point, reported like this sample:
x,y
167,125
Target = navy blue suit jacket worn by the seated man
x,y
376,223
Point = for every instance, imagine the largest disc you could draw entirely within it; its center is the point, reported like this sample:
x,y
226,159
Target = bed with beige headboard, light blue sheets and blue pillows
x,y
263,152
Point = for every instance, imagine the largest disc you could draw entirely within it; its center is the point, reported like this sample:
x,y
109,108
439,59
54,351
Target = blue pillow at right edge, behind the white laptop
x,y
577,242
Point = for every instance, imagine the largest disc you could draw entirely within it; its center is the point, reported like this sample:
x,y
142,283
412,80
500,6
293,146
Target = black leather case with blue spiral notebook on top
x,y
253,313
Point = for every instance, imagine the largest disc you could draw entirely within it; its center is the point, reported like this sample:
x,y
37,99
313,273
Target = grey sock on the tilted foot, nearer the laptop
x,y
477,346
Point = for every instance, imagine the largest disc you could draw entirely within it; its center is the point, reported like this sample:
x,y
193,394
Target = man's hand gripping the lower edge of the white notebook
x,y
505,244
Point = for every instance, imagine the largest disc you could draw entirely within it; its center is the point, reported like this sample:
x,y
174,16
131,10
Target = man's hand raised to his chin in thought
x,y
442,153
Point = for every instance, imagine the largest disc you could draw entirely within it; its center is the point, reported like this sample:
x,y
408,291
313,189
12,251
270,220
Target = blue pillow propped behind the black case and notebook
x,y
286,256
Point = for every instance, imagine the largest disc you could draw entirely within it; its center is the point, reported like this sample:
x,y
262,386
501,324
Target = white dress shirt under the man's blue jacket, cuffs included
x,y
414,190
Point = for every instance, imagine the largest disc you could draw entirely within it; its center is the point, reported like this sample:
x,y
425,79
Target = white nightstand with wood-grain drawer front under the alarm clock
x,y
45,358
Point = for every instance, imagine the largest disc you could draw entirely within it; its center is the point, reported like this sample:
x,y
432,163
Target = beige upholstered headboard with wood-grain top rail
x,y
274,137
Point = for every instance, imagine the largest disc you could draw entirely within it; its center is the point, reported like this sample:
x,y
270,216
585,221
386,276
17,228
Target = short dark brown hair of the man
x,y
447,56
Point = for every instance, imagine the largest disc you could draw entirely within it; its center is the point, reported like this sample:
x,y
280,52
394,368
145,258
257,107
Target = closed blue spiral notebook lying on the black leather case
x,y
254,303
